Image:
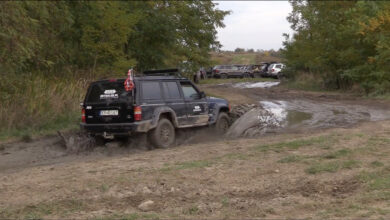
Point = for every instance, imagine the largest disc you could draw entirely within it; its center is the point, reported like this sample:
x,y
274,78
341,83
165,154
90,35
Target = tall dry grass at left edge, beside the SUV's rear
x,y
35,103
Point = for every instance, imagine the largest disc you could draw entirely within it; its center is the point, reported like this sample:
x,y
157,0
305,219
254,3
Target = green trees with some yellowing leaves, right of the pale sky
x,y
343,43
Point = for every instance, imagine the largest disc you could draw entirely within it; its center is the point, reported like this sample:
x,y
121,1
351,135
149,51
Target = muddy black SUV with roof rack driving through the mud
x,y
161,102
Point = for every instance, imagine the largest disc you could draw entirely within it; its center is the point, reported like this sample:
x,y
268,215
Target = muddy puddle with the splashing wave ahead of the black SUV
x,y
285,115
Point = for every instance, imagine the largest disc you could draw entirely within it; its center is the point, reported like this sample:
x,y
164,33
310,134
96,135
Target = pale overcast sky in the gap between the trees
x,y
254,24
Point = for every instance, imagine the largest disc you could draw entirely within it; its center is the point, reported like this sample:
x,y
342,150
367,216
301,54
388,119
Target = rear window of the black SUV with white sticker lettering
x,y
113,91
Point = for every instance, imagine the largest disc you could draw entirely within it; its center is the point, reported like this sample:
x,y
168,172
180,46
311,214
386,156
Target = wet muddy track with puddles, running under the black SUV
x,y
272,110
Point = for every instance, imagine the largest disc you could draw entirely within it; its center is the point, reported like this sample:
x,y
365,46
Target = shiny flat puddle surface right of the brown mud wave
x,y
309,114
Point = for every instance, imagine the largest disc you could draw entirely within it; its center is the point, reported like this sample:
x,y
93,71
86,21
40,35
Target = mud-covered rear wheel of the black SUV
x,y
163,135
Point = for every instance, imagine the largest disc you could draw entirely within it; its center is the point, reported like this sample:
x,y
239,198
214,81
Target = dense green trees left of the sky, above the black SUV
x,y
52,36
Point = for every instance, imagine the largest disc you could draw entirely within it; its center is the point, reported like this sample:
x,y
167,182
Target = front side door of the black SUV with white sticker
x,y
196,106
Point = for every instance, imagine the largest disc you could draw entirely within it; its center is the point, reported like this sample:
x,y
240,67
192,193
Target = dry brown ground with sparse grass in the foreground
x,y
337,173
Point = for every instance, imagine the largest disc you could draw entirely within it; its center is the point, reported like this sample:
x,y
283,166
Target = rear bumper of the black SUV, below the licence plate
x,y
117,128
